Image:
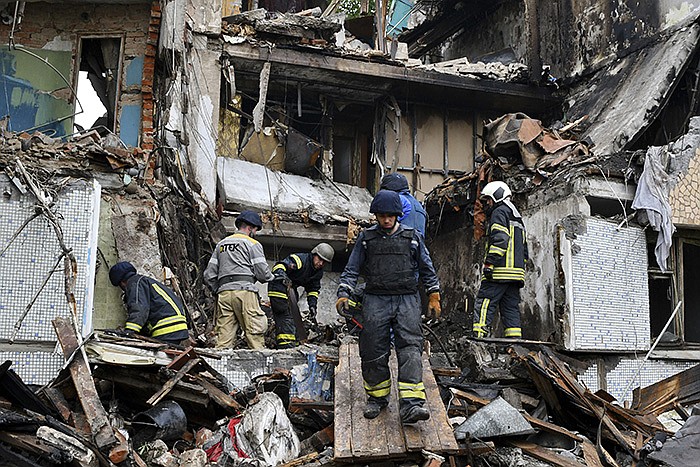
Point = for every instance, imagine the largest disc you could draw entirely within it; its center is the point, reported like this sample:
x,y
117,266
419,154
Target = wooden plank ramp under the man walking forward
x,y
359,439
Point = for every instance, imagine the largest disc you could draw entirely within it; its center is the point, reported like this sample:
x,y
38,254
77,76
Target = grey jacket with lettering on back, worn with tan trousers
x,y
236,263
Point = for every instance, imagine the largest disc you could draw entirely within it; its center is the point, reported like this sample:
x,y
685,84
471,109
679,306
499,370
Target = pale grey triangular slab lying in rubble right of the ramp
x,y
499,418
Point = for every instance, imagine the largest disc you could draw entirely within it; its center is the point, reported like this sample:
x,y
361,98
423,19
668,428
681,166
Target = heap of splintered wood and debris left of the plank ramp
x,y
140,402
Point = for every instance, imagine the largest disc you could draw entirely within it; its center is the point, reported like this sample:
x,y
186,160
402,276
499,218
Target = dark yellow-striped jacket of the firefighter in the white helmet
x,y
506,248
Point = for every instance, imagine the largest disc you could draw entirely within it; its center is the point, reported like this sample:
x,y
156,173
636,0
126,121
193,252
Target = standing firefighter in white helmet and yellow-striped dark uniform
x,y
503,273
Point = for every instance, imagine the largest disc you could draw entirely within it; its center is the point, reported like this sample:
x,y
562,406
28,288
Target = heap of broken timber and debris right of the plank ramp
x,y
512,403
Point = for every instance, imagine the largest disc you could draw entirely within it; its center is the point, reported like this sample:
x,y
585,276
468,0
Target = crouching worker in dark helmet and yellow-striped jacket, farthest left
x,y
152,308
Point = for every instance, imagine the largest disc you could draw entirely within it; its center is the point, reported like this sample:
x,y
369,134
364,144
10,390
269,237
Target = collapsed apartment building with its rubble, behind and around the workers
x,y
296,110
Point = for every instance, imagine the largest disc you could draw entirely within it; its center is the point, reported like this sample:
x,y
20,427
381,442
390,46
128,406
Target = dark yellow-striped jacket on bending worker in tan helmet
x,y
299,267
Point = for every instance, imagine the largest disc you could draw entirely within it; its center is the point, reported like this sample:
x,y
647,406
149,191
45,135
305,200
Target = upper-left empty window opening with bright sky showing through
x,y
98,84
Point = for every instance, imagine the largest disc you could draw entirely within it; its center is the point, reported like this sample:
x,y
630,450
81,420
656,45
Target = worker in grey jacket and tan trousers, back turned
x,y
236,263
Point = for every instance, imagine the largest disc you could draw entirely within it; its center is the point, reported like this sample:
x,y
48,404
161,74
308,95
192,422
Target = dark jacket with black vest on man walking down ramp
x,y
384,267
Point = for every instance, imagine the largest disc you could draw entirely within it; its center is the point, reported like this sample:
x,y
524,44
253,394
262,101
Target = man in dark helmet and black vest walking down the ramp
x,y
392,259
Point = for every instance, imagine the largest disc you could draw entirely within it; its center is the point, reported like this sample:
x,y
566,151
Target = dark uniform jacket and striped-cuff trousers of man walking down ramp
x,y
389,311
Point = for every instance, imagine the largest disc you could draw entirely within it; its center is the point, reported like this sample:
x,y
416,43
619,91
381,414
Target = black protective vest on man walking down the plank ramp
x,y
388,268
